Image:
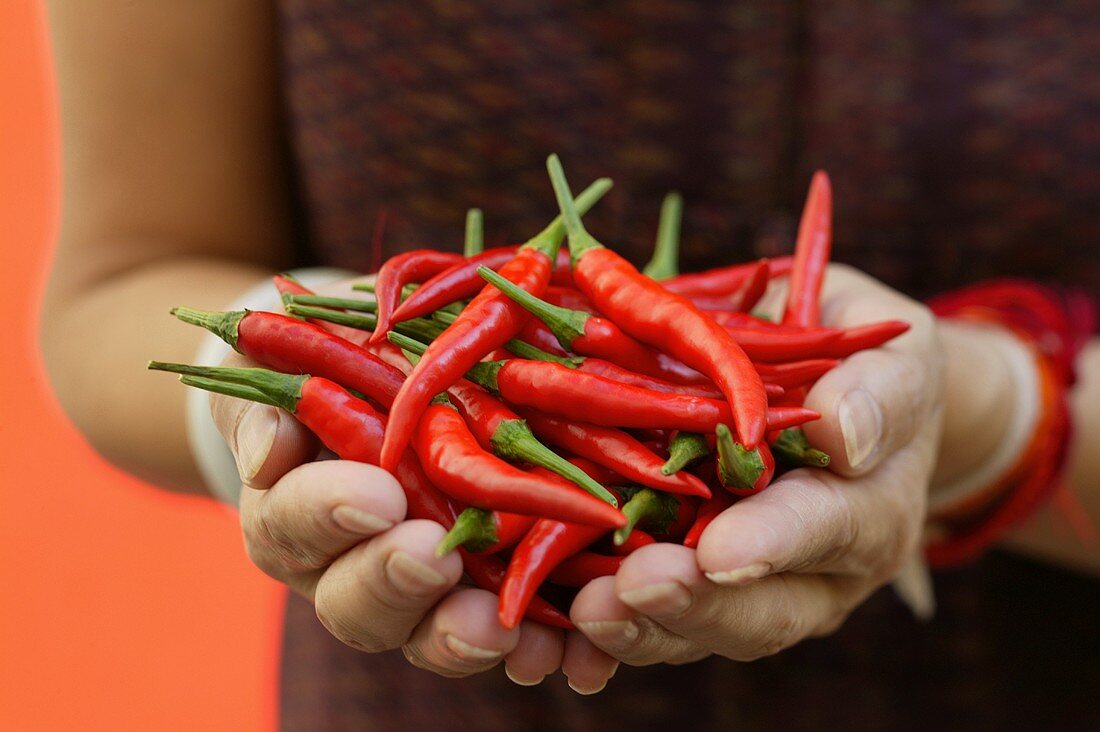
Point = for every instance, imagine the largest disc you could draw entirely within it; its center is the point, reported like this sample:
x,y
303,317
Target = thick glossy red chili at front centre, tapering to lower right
x,y
454,461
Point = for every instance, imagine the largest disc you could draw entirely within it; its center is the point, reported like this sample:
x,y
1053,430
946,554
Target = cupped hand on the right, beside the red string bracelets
x,y
794,561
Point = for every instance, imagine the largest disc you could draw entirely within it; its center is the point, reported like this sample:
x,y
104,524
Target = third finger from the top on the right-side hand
x,y
743,624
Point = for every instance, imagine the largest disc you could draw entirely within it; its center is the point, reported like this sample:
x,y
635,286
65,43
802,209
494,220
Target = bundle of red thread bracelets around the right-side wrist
x,y
1058,326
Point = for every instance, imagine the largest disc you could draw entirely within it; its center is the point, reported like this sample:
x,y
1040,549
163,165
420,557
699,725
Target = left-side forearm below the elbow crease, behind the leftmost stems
x,y
97,338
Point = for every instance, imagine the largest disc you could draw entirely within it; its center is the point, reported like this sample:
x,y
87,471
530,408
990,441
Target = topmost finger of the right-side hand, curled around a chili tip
x,y
878,400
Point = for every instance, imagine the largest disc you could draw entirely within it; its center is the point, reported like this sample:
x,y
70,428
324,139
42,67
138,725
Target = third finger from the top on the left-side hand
x,y
375,595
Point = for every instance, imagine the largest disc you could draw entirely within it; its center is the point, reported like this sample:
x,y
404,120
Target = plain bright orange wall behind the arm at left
x,y
120,607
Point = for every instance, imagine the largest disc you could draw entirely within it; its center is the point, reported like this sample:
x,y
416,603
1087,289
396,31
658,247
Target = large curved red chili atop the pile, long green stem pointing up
x,y
644,310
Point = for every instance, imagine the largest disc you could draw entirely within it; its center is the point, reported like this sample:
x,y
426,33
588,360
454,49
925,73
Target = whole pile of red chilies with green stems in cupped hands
x,y
555,409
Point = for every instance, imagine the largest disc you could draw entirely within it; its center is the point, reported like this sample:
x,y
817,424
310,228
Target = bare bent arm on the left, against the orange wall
x,y
175,192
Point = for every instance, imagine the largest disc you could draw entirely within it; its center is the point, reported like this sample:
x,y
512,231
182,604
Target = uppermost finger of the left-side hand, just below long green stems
x,y
267,443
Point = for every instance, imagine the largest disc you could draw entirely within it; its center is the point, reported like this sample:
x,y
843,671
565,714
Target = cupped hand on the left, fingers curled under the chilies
x,y
336,532
